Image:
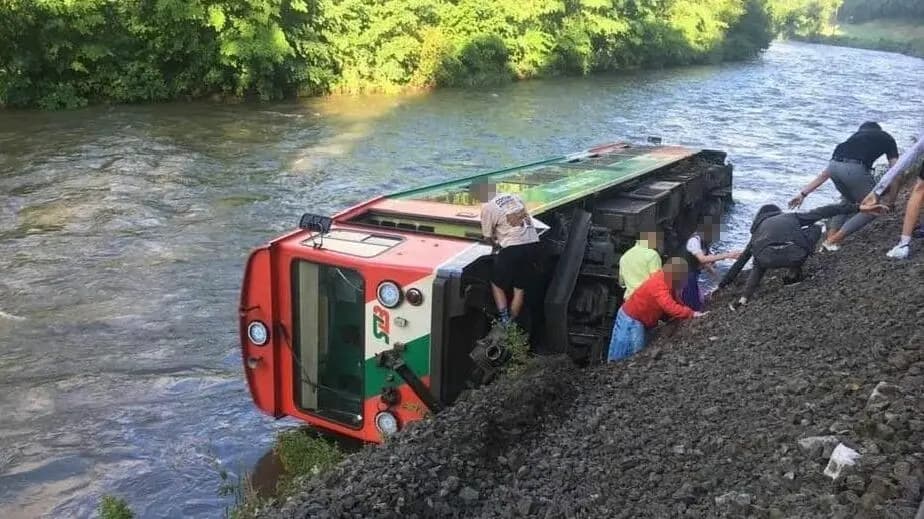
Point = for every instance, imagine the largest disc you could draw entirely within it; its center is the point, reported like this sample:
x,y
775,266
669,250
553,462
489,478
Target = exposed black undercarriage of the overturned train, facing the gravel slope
x,y
572,306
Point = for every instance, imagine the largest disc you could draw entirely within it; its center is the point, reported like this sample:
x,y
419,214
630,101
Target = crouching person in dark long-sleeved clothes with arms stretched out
x,y
781,240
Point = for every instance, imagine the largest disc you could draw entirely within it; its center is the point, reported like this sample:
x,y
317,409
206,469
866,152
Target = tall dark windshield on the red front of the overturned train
x,y
328,303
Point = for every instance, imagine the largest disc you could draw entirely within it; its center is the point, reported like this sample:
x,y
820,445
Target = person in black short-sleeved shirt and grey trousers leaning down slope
x,y
850,170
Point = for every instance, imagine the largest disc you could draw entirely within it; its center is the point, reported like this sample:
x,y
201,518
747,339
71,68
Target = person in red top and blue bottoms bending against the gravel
x,y
650,302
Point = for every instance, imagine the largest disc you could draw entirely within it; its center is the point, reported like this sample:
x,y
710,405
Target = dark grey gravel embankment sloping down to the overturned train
x,y
734,415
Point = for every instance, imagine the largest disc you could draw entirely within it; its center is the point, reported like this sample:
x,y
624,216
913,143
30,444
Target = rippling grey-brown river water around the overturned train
x,y
123,233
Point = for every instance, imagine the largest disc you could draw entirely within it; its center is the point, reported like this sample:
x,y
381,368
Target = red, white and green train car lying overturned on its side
x,y
363,322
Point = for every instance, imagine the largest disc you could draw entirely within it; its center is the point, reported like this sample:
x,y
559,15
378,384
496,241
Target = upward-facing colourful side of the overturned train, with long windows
x,y
450,209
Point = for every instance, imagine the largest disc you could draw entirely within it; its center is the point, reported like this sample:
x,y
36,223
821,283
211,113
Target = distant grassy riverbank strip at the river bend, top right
x,y
901,36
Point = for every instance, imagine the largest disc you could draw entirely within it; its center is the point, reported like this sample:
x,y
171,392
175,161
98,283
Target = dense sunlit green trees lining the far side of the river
x,y
66,53
